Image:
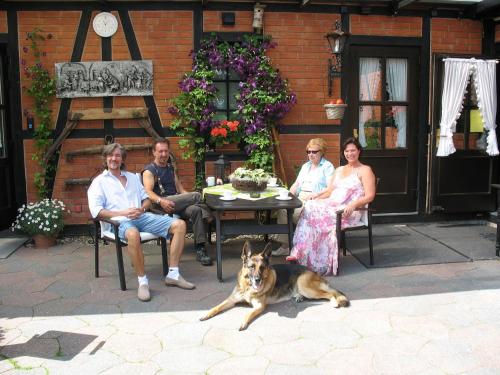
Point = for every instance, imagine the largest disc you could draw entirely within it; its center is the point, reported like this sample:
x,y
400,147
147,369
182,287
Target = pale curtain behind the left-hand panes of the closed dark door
x,y
369,83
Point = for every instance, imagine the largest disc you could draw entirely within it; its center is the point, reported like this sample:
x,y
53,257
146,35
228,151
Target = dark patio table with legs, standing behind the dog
x,y
237,227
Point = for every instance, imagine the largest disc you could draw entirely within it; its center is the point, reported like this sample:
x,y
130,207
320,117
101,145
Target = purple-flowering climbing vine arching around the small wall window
x,y
263,99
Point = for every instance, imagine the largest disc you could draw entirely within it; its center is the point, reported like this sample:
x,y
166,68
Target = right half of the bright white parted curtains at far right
x,y
486,91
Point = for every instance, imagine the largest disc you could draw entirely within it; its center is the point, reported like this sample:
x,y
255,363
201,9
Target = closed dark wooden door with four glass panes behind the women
x,y
383,116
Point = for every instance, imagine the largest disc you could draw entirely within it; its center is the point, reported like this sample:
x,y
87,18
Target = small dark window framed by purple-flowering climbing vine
x,y
227,83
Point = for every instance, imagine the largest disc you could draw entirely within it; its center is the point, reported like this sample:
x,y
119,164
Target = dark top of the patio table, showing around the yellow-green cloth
x,y
271,203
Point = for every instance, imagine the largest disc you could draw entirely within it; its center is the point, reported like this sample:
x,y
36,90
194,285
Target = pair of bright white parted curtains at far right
x,y
456,76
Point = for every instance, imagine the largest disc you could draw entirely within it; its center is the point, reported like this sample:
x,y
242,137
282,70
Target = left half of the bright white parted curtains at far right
x,y
456,75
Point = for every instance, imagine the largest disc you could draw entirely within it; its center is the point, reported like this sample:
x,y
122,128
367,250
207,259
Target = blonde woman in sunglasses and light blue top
x,y
313,178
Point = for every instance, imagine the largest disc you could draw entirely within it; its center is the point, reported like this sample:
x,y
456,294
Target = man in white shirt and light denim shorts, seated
x,y
118,194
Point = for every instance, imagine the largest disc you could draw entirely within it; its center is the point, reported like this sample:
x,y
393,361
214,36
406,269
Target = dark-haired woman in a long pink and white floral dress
x,y
352,186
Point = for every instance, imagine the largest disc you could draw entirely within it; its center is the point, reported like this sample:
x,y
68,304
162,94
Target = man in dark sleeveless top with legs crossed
x,y
167,194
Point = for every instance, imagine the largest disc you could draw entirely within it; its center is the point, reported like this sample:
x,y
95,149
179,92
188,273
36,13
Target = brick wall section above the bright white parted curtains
x,y
456,36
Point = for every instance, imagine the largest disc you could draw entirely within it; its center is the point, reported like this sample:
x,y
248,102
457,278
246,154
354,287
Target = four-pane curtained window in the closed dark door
x,y
383,103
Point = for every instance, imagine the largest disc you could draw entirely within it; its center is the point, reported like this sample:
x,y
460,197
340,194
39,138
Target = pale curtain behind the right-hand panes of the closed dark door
x,y
397,81
